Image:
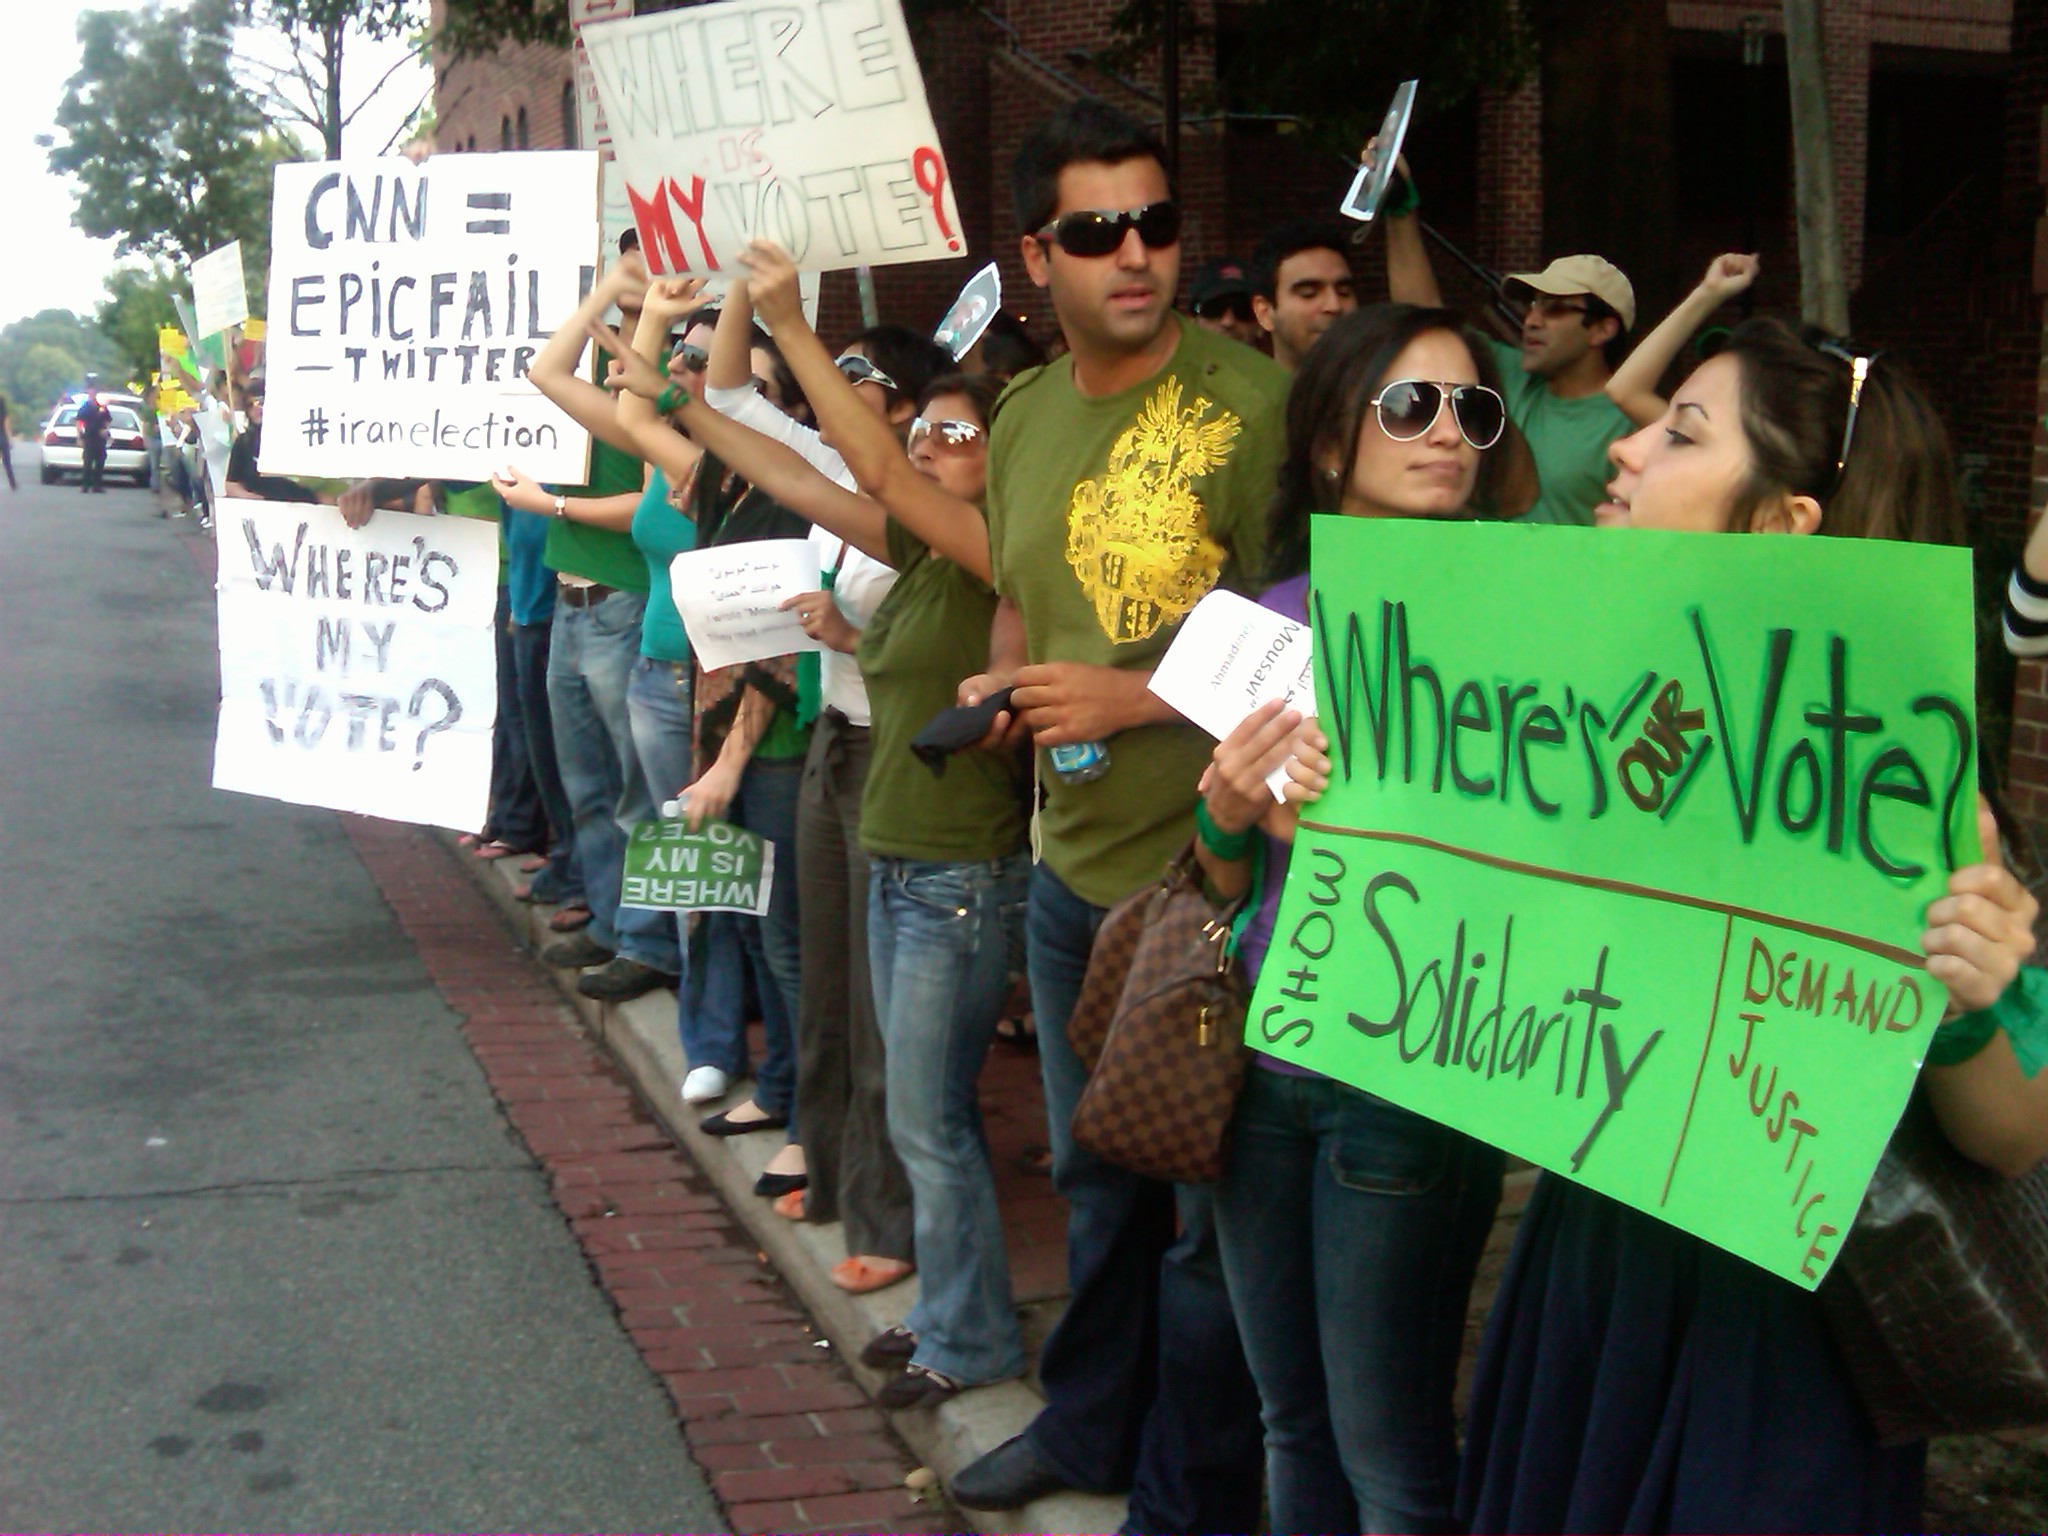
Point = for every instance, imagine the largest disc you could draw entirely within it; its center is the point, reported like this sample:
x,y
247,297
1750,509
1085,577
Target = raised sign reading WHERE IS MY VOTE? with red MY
x,y
800,122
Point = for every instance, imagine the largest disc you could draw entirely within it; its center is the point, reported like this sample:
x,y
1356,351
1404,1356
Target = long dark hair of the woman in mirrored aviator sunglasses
x,y
1328,407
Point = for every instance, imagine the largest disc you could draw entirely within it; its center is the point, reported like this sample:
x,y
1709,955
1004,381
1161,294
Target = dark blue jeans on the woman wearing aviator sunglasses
x,y
1351,1236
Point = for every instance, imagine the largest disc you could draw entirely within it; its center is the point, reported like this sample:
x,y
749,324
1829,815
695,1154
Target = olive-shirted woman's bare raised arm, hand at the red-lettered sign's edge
x,y
871,452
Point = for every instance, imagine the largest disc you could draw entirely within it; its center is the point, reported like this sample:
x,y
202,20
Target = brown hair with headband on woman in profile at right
x,y
1900,480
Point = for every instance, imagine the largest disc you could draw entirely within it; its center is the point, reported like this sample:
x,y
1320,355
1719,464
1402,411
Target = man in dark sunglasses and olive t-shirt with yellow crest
x,y
1125,482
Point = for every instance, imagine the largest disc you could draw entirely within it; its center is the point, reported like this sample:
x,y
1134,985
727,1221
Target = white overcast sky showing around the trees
x,y
46,261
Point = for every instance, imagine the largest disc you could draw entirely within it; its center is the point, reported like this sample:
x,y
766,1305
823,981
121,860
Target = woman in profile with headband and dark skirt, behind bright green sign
x,y
1635,1377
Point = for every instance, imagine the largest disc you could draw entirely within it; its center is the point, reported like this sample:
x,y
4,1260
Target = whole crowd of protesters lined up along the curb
x,y
1289,1338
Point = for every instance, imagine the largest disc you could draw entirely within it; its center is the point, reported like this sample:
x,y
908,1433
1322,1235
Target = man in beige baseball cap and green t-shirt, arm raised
x,y
1576,314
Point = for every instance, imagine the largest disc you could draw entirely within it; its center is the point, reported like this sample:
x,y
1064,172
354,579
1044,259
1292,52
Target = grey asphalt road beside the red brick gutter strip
x,y
269,1254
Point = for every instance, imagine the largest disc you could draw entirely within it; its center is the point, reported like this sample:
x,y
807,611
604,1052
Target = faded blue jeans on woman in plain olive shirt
x,y
939,949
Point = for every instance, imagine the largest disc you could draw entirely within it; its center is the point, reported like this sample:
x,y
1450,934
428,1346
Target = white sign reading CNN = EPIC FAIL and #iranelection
x,y
409,304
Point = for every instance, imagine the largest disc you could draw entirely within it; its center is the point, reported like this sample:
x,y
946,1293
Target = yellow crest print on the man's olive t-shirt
x,y
1138,538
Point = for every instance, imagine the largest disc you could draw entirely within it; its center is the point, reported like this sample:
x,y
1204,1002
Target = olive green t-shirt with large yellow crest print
x,y
1109,519
